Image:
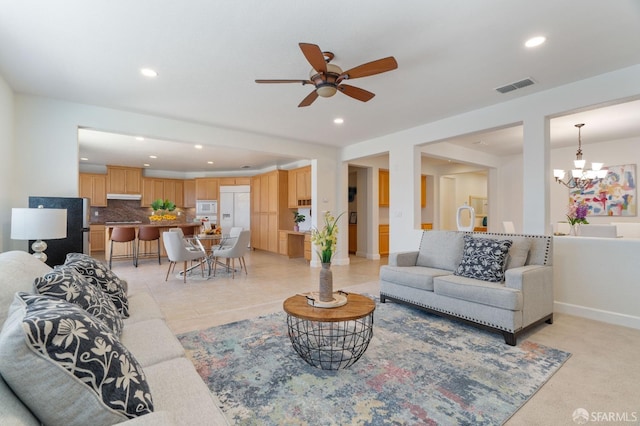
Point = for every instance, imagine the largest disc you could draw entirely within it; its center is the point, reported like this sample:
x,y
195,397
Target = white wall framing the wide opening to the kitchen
x,y
46,162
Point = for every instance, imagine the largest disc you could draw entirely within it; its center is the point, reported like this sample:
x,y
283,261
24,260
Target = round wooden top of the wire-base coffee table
x,y
357,306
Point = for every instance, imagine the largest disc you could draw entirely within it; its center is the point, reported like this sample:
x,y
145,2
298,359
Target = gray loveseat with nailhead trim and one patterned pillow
x,y
441,278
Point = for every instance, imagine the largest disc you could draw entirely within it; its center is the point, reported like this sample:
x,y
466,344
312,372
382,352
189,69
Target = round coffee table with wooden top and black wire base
x,y
330,338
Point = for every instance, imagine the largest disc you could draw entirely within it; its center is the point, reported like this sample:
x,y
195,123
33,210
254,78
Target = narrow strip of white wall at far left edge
x,y
6,161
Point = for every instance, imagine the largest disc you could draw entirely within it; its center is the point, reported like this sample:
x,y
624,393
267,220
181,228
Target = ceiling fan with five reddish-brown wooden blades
x,y
327,77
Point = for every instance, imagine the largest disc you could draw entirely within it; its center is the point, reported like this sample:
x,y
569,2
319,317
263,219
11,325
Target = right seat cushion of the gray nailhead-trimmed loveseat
x,y
477,291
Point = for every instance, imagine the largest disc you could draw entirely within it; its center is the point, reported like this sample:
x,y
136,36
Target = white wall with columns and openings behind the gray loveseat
x,y
534,191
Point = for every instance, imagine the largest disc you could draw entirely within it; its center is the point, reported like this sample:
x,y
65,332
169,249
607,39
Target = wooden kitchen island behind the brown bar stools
x,y
121,249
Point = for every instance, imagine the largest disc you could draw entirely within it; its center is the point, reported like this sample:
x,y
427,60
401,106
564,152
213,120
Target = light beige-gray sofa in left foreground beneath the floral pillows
x,y
179,395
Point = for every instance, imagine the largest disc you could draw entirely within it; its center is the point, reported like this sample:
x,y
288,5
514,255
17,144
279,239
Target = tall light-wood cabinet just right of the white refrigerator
x,y
269,213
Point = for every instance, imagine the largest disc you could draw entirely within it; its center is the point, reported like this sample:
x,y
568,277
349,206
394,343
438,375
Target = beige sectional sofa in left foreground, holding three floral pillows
x,y
45,395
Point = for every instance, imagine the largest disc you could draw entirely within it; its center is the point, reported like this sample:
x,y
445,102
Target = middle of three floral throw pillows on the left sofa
x,y
67,284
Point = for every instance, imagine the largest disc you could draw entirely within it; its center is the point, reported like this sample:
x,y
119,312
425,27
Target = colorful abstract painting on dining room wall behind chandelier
x,y
615,195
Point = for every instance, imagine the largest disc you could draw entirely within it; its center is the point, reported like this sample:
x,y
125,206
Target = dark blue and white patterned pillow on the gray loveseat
x,y
484,258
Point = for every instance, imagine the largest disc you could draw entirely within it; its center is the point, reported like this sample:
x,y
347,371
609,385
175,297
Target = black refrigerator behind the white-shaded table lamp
x,y
77,240
